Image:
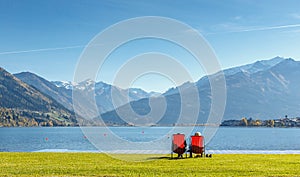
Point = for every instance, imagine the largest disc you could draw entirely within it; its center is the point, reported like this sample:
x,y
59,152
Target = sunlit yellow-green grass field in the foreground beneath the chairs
x,y
97,164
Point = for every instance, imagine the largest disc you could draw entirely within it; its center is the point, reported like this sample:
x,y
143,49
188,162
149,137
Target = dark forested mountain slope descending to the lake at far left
x,y
20,99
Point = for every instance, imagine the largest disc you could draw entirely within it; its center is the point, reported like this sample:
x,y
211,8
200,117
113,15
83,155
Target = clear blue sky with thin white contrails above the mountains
x,y
47,37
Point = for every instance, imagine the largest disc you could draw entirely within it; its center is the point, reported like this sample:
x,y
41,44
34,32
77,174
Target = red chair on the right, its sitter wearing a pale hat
x,y
197,146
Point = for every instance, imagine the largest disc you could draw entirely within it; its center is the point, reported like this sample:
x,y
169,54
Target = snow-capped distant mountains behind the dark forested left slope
x,y
62,91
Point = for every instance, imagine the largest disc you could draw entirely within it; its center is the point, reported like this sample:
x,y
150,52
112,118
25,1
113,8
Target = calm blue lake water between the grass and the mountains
x,y
72,139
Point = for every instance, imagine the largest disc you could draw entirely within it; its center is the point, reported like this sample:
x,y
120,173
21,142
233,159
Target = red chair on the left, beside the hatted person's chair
x,y
178,144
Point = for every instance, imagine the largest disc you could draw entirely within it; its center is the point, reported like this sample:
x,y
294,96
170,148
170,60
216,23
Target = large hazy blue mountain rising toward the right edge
x,y
264,91
